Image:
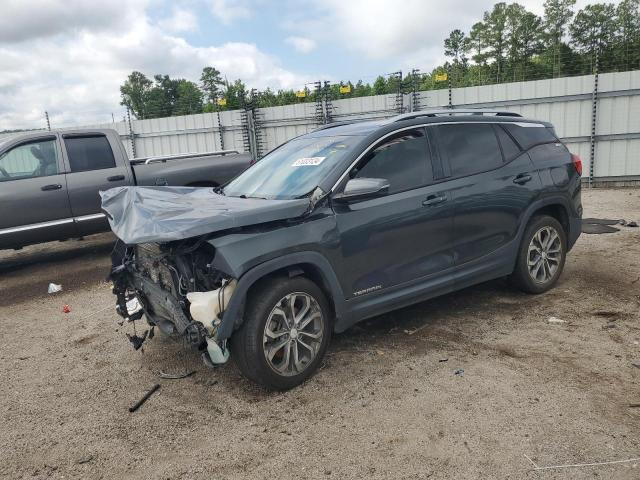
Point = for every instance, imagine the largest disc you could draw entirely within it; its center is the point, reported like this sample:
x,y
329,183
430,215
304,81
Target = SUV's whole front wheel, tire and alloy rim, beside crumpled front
x,y
285,334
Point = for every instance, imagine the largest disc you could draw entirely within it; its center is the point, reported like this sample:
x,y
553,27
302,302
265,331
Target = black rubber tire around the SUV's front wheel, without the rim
x,y
247,343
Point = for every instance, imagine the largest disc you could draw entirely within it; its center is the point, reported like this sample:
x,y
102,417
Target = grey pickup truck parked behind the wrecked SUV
x,y
49,181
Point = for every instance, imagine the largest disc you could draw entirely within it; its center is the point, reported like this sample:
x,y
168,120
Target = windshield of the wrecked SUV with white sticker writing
x,y
293,170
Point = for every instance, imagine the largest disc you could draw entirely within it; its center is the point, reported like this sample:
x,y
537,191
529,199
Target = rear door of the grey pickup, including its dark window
x,y
92,167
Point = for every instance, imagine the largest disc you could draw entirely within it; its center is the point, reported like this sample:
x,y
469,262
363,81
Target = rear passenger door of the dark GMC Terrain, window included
x,y
492,182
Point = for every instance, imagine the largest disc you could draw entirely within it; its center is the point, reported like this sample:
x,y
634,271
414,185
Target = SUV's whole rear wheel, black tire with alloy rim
x,y
541,256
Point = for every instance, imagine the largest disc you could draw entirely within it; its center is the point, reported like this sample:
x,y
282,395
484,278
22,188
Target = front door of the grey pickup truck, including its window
x,y
34,205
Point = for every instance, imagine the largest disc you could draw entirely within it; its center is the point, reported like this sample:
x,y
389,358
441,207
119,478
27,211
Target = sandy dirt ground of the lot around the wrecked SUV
x,y
385,404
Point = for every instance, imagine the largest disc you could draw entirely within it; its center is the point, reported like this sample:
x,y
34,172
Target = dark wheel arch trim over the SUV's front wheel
x,y
235,308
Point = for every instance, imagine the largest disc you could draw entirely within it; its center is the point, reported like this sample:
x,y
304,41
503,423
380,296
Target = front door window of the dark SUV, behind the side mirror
x,y
403,159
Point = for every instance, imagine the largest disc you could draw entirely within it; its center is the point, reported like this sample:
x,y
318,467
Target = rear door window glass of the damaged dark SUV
x,y
471,148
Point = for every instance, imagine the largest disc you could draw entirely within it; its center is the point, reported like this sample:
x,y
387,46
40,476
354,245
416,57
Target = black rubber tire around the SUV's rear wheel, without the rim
x,y
521,277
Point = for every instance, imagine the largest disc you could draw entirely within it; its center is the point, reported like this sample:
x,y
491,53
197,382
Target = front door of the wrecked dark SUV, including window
x,y
404,235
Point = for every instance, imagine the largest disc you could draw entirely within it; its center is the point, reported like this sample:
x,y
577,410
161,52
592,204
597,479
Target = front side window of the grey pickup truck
x,y
29,160
